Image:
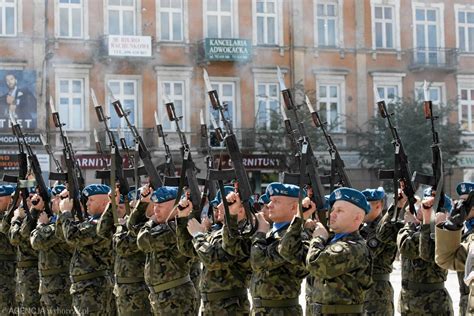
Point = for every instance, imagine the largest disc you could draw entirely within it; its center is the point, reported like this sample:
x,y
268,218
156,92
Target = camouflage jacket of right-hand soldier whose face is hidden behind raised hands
x,y
417,250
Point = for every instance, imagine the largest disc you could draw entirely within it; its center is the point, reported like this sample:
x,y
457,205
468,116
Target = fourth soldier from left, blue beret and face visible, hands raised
x,y
91,287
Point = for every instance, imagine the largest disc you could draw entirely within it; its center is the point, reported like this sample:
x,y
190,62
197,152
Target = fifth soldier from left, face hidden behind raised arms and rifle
x,y
130,290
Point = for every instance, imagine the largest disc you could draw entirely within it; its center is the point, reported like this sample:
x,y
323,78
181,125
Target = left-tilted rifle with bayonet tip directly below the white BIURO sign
x,y
145,156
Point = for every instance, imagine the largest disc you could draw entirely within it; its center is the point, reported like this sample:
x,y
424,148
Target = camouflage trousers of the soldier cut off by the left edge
x,y
7,286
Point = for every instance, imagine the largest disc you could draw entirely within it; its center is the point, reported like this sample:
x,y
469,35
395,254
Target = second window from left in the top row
x,y
70,17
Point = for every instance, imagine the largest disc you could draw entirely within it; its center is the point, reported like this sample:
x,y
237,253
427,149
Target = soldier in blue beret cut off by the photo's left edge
x,y
7,256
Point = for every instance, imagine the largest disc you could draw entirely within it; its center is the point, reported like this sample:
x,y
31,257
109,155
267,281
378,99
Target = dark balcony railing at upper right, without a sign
x,y
434,58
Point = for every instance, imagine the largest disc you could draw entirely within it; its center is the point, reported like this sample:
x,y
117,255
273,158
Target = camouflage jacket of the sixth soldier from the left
x,y
163,262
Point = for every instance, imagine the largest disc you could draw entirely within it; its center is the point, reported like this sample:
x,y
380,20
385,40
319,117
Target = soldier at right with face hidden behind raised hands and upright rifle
x,y
423,290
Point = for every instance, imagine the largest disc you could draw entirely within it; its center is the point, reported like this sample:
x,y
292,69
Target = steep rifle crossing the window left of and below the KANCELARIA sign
x,y
188,168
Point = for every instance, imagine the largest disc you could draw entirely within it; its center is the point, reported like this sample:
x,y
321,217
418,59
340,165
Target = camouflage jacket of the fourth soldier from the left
x,y
91,251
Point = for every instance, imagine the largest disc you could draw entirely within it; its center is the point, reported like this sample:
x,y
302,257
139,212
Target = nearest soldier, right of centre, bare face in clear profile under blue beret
x,y
341,266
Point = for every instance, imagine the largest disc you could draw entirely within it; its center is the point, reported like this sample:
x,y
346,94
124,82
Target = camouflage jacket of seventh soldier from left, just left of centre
x,y
221,271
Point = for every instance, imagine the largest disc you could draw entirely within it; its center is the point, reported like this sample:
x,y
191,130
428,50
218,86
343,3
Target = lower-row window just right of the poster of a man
x,y
71,105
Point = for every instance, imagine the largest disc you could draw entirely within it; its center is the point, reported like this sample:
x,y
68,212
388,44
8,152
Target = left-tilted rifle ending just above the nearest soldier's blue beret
x,y
337,164
